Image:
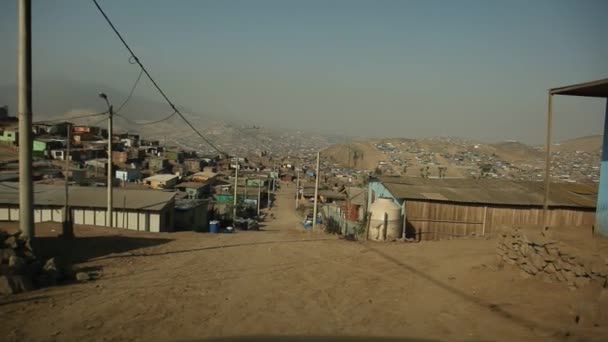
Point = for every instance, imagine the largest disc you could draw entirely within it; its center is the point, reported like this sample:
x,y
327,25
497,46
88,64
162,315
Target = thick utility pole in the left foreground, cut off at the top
x,y
24,75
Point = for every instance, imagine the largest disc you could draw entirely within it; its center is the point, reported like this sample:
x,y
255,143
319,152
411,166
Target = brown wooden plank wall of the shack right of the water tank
x,y
440,220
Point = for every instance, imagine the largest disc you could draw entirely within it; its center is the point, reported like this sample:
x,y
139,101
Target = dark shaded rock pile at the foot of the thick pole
x,y
21,270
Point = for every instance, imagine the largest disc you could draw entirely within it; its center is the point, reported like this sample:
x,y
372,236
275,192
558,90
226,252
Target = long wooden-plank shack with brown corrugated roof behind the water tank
x,y
451,208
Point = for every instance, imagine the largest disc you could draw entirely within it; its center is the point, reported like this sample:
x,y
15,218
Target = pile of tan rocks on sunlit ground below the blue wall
x,y
538,255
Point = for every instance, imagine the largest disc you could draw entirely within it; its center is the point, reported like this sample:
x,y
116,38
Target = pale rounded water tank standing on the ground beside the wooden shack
x,y
385,220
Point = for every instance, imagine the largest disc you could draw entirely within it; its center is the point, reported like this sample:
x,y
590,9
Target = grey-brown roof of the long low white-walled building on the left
x,y
88,197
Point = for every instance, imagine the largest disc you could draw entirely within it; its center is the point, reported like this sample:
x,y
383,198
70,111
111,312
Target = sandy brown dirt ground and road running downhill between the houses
x,y
284,281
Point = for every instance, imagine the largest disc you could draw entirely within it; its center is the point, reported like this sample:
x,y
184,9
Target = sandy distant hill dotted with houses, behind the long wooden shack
x,y
466,158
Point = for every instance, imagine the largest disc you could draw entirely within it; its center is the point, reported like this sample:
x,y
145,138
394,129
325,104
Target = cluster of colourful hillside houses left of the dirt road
x,y
182,183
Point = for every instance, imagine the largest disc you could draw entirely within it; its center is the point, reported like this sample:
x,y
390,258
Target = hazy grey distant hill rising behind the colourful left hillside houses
x,y
62,99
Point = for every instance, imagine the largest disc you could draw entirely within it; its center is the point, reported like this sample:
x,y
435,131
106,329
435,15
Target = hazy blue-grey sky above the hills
x,y
475,69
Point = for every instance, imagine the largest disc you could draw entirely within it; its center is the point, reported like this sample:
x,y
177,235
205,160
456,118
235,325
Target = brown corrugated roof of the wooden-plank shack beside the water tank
x,y
491,191
